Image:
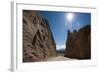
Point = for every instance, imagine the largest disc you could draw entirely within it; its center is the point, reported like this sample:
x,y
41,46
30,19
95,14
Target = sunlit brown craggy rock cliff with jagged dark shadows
x,y
38,42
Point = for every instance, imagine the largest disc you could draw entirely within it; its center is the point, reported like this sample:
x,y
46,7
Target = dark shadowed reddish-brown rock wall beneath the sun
x,y
78,44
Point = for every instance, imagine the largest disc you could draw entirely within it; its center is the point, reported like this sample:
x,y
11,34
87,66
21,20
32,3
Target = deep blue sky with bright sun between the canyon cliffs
x,y
60,23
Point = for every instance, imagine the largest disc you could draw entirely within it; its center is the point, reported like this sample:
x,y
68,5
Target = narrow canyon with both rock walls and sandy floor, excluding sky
x,y
39,44
